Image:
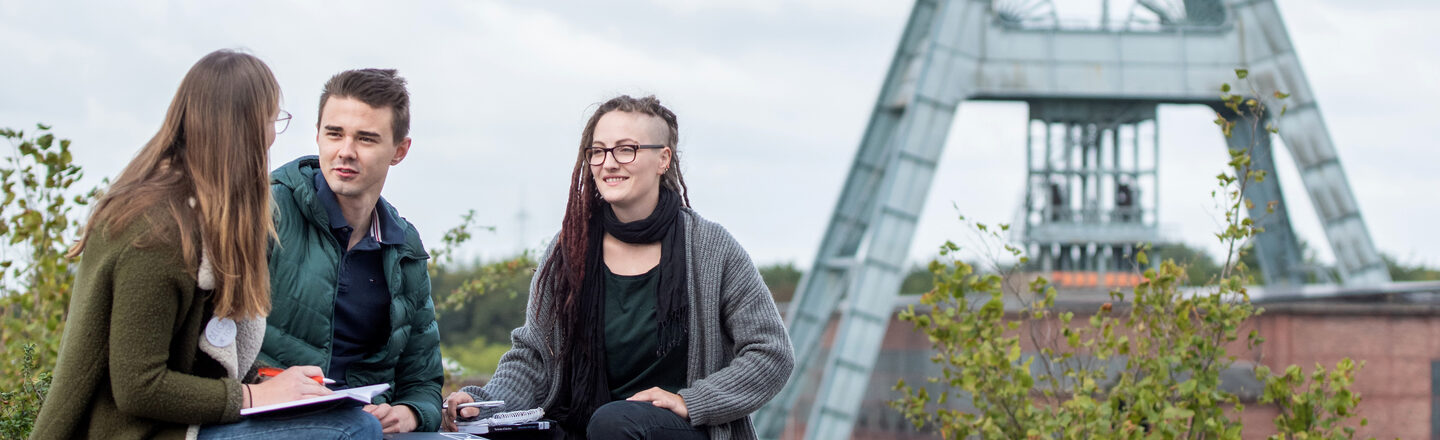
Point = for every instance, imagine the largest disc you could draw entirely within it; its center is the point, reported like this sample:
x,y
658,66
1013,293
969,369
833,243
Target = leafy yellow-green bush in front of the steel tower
x,y
1144,366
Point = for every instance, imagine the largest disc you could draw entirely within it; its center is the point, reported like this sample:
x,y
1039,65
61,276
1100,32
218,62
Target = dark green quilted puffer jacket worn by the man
x,y
303,291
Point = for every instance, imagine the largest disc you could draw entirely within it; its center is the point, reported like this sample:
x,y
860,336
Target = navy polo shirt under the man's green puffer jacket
x,y
362,317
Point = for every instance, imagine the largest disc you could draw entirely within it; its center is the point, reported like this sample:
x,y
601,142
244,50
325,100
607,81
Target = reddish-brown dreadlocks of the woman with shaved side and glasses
x,y
564,274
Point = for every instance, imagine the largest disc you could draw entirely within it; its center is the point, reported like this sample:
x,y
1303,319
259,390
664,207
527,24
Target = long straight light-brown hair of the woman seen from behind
x,y
212,147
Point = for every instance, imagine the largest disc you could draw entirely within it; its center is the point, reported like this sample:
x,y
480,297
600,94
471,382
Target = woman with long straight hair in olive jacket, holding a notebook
x,y
169,307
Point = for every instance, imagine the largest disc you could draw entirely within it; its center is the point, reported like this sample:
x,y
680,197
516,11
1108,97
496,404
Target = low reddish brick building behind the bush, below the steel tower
x,y
1395,330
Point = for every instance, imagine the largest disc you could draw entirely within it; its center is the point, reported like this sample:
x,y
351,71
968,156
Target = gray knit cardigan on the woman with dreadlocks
x,y
739,352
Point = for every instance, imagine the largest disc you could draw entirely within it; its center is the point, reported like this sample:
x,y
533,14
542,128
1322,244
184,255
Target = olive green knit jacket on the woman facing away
x,y
130,365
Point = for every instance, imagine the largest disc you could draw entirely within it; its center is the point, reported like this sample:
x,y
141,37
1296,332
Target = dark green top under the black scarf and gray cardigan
x,y
633,339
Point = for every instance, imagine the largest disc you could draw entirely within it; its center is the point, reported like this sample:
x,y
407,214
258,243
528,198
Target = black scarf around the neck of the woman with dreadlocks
x,y
587,366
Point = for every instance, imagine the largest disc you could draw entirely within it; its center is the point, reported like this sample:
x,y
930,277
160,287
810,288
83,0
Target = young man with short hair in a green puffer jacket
x,y
348,278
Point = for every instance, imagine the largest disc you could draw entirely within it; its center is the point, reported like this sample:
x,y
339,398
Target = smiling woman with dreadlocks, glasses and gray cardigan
x,y
646,321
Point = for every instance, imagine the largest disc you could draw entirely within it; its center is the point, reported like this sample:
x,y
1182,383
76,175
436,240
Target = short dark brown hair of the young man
x,y
378,88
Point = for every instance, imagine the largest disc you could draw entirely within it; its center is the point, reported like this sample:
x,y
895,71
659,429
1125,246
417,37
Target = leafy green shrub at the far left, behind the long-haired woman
x,y
38,222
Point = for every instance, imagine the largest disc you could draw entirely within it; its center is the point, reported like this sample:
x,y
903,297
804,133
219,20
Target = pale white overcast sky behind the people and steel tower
x,y
773,100
